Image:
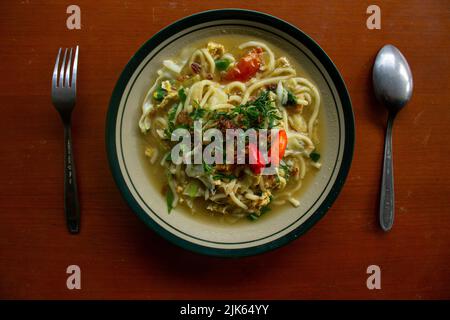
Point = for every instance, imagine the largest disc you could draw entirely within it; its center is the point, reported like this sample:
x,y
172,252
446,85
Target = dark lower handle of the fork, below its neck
x,y
71,204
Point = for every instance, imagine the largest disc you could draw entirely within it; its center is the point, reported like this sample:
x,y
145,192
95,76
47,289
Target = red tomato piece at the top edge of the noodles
x,y
246,67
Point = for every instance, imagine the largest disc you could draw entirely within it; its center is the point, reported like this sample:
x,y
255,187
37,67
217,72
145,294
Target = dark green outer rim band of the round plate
x,y
230,14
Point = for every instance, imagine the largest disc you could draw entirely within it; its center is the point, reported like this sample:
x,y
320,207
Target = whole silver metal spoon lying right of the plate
x,y
393,85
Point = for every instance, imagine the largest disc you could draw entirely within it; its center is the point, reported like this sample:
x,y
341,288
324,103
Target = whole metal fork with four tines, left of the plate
x,y
64,89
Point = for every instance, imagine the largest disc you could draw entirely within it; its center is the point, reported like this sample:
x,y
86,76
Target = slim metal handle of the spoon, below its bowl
x,y
387,182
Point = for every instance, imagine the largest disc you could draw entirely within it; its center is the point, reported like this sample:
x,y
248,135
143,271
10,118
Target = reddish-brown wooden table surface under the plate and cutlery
x,y
120,257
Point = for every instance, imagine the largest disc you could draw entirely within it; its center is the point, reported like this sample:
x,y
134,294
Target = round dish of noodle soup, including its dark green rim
x,y
230,132
